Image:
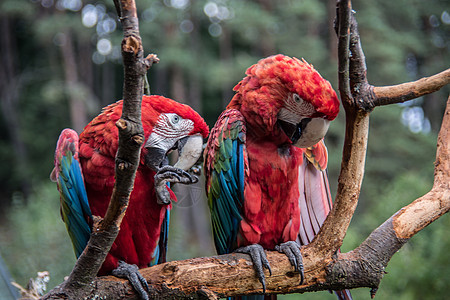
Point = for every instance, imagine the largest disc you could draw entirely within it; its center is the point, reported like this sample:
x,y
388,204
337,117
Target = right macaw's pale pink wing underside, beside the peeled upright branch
x,y
315,198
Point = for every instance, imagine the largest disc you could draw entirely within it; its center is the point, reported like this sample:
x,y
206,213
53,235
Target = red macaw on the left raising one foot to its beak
x,y
142,239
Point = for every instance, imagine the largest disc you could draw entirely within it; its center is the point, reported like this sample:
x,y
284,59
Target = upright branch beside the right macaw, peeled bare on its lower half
x,y
335,226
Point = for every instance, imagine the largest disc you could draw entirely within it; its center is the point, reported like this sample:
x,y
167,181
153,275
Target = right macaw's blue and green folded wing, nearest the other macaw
x,y
225,168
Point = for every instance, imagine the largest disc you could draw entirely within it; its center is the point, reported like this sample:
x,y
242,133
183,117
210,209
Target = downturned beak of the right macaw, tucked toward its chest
x,y
306,133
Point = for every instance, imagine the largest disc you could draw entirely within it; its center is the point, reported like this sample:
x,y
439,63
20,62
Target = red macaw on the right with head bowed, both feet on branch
x,y
265,162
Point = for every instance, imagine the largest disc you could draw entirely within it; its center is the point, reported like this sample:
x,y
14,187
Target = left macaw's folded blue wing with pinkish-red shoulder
x,y
75,210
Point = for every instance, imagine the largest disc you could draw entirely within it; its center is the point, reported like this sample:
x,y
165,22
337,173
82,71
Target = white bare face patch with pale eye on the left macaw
x,y
168,129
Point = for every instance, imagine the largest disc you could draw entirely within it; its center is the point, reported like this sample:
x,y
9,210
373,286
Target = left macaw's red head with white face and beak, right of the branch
x,y
169,125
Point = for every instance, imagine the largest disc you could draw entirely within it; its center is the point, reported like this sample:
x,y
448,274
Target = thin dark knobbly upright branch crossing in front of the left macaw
x,y
131,137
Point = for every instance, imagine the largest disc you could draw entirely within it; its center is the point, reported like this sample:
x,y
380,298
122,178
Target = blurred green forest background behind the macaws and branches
x,y
61,62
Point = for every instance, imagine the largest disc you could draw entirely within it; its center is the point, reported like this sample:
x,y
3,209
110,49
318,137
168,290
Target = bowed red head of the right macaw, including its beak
x,y
287,98
